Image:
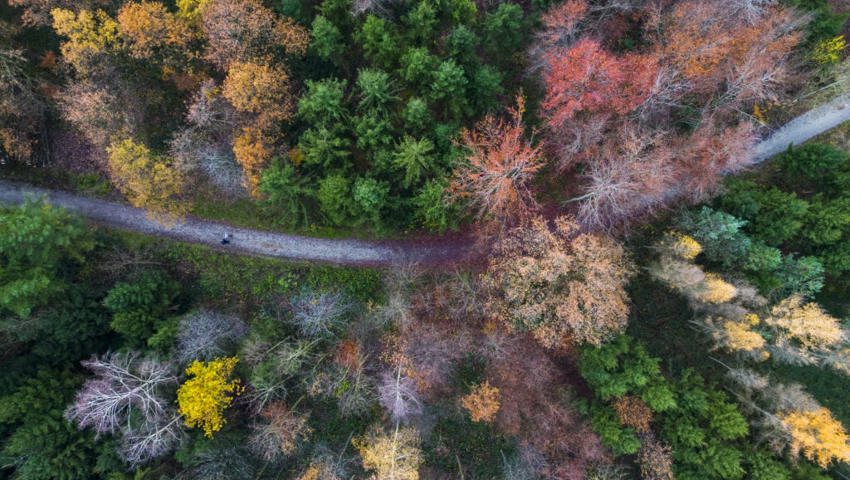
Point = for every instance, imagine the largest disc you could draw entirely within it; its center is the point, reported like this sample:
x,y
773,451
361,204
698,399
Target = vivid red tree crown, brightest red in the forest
x,y
586,78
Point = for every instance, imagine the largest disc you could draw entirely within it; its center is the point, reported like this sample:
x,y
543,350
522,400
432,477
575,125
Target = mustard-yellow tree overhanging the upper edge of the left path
x,y
148,181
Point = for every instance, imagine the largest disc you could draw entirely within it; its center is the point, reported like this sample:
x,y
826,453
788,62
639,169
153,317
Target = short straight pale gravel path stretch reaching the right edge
x,y
806,126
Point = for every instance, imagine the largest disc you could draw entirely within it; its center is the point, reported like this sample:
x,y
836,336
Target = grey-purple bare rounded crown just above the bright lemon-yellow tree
x,y
205,334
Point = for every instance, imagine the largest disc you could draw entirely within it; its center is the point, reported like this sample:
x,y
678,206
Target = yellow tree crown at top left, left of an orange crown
x,y
88,33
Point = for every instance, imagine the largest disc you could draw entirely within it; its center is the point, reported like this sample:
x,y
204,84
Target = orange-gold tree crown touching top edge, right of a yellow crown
x,y
148,28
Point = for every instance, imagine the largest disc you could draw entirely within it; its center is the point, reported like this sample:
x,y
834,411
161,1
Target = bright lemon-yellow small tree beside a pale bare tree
x,y
203,398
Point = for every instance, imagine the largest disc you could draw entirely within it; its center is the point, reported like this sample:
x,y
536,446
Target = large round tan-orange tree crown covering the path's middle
x,y
562,286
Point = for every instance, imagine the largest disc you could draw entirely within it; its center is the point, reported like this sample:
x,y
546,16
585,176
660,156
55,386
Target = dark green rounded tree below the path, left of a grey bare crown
x,y
140,308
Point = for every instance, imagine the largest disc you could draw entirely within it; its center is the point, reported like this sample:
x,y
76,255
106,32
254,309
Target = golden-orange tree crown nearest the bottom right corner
x,y
818,435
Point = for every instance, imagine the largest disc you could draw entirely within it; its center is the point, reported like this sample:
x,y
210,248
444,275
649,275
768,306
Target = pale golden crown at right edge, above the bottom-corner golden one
x,y
807,323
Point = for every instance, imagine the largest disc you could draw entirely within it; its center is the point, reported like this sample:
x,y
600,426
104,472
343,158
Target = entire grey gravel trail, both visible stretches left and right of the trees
x,y
359,252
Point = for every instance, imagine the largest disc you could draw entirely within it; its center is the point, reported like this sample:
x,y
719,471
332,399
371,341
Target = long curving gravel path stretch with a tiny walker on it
x,y
293,247
